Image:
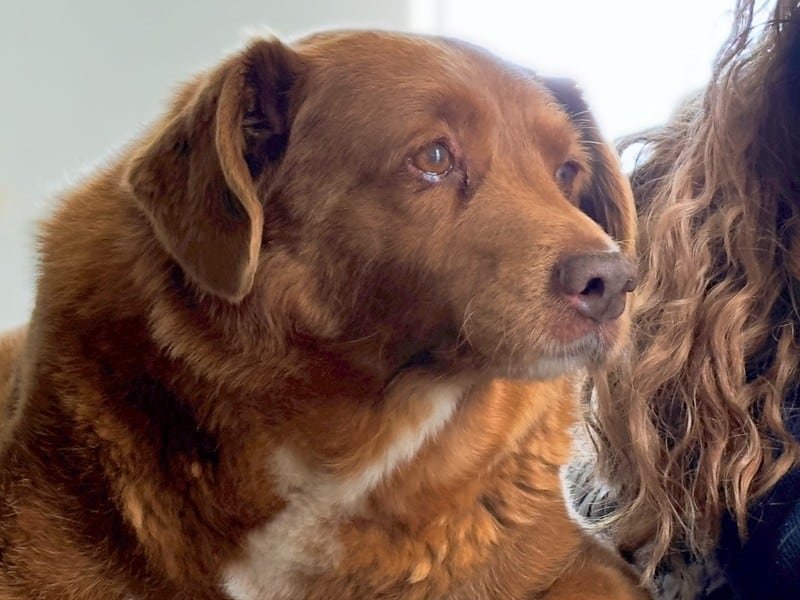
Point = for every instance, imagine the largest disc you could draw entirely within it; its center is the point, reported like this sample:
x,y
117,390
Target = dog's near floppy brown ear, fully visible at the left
x,y
196,176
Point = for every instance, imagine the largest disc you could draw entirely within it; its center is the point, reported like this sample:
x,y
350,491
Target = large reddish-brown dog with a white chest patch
x,y
265,353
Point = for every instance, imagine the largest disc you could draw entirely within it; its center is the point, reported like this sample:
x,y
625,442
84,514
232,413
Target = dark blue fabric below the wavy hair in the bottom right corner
x,y
767,565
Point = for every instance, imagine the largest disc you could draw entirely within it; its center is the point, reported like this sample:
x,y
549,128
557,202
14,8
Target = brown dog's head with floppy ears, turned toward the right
x,y
413,198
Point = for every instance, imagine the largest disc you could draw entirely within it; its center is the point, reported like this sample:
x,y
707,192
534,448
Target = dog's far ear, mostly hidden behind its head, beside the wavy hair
x,y
607,198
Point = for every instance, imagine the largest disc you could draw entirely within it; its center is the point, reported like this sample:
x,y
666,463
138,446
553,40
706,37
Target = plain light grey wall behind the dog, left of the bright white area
x,y
78,78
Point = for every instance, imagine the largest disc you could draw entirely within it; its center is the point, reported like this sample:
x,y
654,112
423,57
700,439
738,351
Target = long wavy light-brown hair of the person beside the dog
x,y
692,425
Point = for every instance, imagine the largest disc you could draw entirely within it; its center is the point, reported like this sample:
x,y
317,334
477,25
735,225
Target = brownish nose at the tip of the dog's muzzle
x,y
595,284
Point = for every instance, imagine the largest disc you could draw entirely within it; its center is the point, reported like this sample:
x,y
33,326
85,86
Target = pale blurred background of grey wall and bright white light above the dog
x,y
80,78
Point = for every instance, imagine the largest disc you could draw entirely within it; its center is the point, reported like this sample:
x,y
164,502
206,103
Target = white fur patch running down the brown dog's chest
x,y
301,540
